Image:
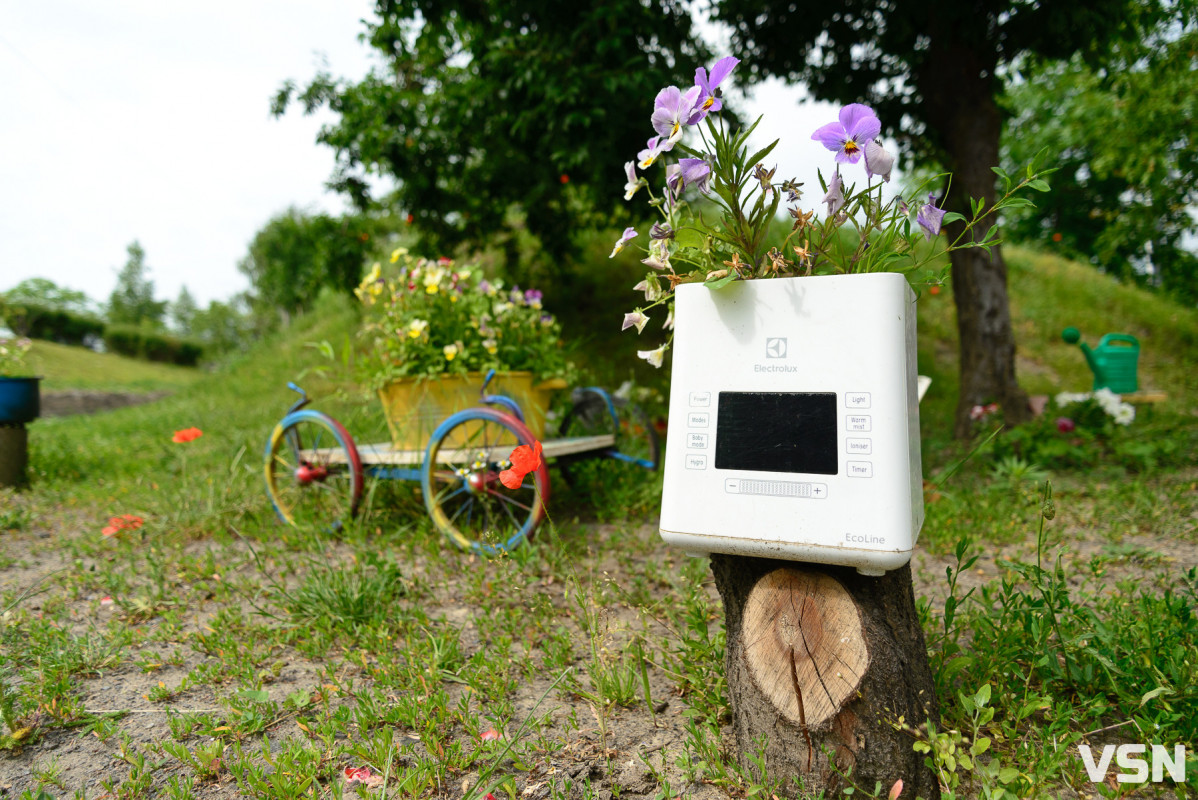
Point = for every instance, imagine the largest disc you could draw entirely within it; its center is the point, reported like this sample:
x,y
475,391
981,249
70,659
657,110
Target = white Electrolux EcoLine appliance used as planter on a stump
x,y
795,422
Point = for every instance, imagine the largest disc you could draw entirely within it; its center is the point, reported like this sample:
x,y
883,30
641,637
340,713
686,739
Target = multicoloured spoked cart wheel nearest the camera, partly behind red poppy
x,y
461,482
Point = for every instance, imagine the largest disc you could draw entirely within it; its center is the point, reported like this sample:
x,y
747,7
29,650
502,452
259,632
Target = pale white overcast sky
x,y
134,120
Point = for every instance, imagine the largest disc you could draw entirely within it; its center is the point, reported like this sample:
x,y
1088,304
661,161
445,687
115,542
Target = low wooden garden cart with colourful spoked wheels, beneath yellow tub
x,y
316,471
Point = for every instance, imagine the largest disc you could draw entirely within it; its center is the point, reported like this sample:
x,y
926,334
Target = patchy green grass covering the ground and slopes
x,y
214,652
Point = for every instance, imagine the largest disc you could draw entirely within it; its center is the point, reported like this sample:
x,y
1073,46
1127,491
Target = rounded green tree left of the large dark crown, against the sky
x,y
297,254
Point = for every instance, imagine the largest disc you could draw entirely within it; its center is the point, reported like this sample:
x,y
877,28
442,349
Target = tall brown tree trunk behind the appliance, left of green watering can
x,y
958,86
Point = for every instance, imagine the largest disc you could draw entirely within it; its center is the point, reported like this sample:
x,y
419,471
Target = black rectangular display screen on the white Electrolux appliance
x,y
775,432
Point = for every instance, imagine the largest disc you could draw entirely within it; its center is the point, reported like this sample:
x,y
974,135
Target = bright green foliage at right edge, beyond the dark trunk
x,y
1128,155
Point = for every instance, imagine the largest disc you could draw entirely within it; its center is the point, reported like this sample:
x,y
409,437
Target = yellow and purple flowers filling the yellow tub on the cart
x,y
438,318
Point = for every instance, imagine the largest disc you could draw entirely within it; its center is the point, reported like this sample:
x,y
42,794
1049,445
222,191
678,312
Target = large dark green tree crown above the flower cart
x,y
483,110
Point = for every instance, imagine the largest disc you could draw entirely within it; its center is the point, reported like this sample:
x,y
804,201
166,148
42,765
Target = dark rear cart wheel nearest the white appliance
x,y
638,446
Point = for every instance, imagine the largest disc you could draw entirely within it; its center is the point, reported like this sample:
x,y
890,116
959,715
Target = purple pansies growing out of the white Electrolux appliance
x,y
724,238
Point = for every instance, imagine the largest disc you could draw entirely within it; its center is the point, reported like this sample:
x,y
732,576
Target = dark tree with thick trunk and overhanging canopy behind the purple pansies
x,y
935,70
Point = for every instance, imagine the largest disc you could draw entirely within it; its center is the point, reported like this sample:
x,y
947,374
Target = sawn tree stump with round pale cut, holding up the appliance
x,y
822,663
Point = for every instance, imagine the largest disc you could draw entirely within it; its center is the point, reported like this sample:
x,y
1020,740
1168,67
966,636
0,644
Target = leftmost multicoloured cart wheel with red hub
x,y
313,470
